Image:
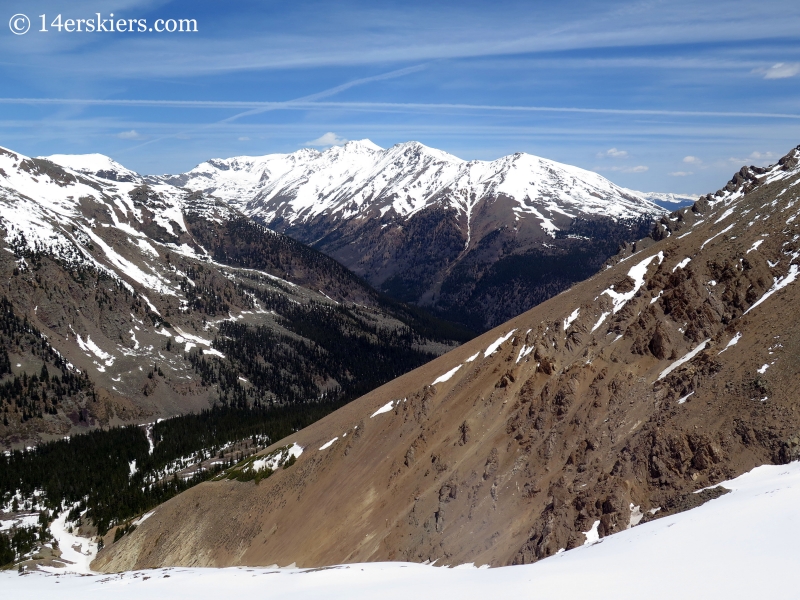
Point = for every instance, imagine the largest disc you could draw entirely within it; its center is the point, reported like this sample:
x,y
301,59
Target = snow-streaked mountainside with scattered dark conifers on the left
x,y
147,300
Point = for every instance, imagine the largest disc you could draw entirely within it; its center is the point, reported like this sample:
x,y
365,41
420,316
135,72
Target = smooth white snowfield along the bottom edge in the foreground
x,y
741,545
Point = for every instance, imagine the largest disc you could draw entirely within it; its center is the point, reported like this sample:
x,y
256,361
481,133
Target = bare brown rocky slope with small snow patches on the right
x,y
669,371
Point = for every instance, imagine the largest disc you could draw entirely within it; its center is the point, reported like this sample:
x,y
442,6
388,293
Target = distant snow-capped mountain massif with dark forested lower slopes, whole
x,y
477,241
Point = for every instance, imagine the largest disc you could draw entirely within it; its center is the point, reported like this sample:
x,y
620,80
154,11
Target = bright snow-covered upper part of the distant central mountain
x,y
360,179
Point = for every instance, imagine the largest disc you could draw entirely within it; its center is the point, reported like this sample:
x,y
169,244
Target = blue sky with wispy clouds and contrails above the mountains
x,y
657,96
